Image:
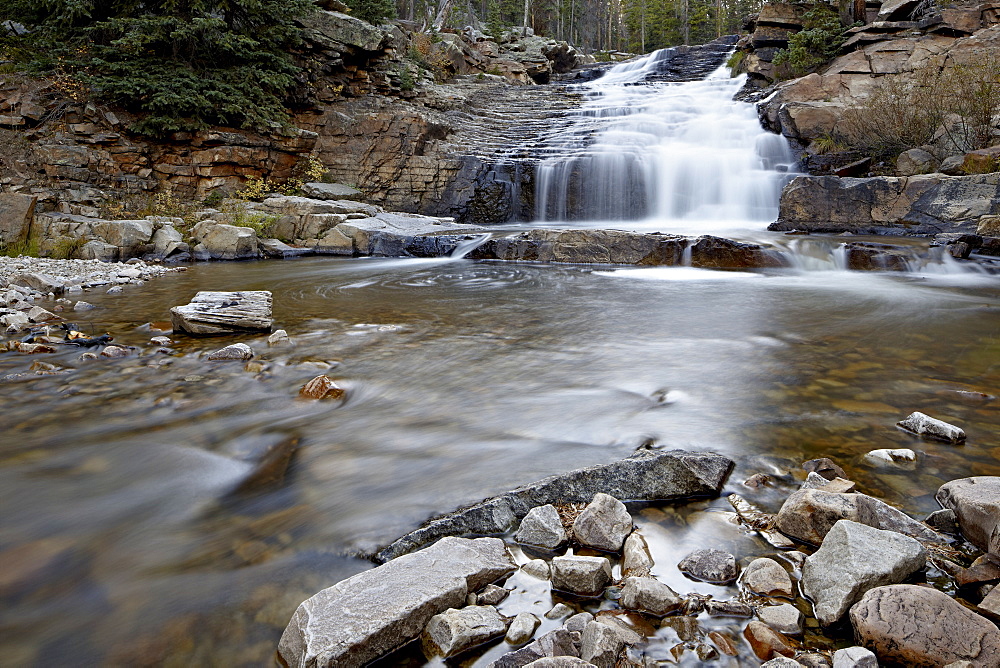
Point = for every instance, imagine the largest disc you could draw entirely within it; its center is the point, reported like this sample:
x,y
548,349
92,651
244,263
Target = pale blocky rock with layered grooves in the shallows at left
x,y
224,313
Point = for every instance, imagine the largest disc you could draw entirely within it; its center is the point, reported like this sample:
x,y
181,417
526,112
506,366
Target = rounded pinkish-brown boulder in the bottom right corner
x,y
923,627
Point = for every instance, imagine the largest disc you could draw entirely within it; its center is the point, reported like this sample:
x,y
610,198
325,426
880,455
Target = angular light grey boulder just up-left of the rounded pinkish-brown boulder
x,y
853,559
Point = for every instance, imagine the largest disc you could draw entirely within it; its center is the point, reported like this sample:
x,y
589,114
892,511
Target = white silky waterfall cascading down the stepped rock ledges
x,y
682,155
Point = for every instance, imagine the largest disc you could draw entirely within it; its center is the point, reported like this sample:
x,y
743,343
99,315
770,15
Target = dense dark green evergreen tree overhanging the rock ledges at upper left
x,y
180,64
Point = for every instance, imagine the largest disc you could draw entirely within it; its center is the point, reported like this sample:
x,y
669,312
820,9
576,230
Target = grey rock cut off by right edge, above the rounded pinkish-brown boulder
x,y
976,502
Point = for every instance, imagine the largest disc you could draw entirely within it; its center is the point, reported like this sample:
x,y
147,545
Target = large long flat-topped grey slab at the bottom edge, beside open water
x,y
367,615
